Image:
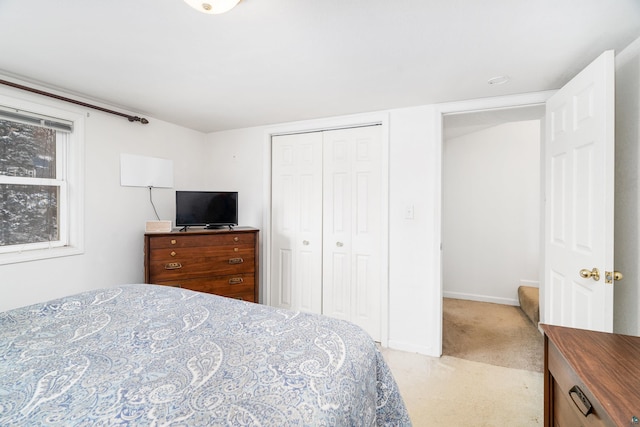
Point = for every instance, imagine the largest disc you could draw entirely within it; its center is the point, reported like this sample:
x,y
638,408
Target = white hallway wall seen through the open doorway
x,y
491,212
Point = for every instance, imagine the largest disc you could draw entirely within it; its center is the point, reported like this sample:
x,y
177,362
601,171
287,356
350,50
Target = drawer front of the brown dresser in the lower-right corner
x,y
566,412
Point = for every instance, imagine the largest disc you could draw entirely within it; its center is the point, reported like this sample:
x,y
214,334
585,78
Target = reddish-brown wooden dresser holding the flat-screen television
x,y
222,262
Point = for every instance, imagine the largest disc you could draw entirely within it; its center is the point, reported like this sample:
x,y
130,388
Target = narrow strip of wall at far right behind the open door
x,y
627,203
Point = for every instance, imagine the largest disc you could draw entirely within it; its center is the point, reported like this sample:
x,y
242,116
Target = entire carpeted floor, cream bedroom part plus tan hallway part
x,y
494,379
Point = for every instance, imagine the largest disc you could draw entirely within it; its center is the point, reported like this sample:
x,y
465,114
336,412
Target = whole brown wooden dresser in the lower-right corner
x,y
591,378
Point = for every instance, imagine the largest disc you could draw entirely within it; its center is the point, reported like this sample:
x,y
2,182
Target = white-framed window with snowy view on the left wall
x,y
40,184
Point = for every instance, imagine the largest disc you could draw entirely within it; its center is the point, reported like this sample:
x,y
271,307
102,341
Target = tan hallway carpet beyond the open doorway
x,y
495,334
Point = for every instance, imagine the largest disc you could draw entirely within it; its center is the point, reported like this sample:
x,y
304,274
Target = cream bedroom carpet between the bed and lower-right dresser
x,y
451,392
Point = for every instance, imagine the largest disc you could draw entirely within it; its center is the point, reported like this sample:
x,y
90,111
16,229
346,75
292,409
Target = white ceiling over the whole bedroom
x,y
274,61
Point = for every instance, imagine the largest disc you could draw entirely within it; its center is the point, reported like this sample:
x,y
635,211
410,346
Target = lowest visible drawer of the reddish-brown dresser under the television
x,y
239,286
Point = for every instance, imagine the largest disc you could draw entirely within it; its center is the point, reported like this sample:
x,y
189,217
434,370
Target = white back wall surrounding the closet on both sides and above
x,y
242,159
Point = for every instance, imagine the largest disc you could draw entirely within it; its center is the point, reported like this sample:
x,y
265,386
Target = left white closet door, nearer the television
x,y
296,222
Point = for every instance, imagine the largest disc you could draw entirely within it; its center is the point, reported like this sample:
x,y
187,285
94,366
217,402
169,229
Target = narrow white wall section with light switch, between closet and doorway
x,y
414,252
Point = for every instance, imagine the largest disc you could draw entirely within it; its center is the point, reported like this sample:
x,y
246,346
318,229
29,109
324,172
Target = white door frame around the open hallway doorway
x,y
511,101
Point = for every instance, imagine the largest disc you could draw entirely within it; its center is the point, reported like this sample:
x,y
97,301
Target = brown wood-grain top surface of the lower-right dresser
x,y
608,364
